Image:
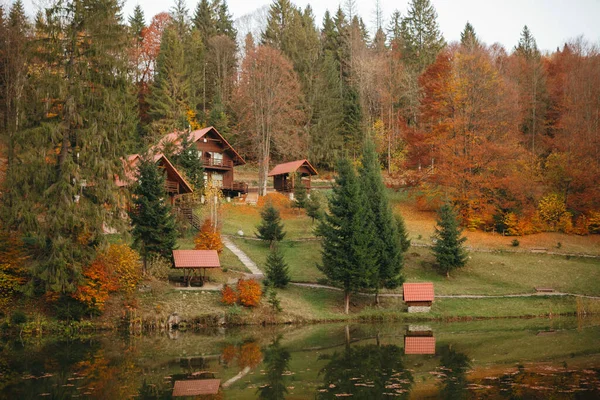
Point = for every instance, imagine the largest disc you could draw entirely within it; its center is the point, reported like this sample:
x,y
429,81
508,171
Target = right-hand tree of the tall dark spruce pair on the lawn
x,y
386,249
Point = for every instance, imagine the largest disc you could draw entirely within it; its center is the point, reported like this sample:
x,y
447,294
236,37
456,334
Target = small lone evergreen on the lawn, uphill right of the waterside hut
x,y
448,249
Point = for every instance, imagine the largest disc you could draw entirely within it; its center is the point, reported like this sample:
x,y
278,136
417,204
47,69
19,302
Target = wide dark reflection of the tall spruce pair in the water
x,y
366,372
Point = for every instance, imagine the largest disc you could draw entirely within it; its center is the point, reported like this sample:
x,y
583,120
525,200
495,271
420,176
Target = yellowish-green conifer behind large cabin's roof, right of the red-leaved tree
x,y
169,99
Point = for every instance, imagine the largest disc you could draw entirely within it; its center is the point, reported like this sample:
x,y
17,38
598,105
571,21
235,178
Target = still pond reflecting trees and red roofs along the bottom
x,y
507,359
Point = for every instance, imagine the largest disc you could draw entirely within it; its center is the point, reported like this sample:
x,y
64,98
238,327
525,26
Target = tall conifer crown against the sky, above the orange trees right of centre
x,y
421,34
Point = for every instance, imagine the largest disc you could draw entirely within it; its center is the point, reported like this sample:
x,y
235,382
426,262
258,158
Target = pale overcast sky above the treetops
x,y
552,22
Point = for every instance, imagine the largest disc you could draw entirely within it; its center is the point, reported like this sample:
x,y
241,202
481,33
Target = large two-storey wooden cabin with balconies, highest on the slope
x,y
218,157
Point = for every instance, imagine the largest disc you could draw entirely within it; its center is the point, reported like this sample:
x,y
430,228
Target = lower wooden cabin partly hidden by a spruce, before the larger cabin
x,y
175,184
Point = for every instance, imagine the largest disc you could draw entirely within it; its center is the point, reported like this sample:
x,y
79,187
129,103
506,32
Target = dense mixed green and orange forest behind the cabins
x,y
510,136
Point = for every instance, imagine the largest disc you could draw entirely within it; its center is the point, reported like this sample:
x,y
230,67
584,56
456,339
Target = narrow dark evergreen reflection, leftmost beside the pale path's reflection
x,y
277,361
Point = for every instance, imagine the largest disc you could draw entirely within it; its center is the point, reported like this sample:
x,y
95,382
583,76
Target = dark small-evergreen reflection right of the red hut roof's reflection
x,y
453,366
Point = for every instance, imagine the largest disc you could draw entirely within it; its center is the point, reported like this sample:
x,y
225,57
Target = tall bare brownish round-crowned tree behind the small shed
x,y
268,104
